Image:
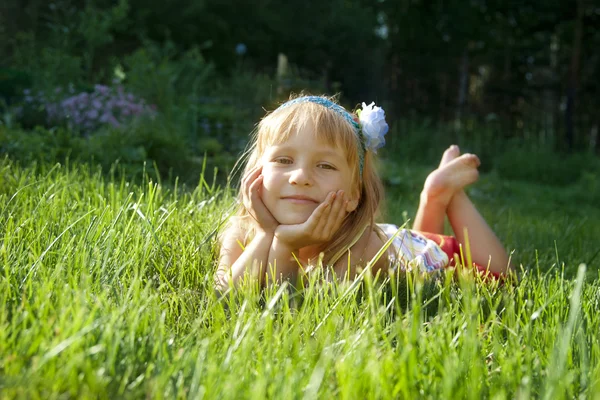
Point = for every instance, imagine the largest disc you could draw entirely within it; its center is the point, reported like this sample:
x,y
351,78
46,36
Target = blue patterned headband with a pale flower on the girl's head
x,y
370,128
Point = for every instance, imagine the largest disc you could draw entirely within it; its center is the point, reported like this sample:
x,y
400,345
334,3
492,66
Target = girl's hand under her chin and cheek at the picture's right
x,y
320,227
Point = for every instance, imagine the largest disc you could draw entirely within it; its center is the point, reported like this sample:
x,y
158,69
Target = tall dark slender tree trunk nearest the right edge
x,y
574,78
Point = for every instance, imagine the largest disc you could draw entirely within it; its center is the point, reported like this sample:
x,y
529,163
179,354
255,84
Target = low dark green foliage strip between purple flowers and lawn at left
x,y
144,144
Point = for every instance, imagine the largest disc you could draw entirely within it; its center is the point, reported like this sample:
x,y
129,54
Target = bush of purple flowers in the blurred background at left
x,y
87,112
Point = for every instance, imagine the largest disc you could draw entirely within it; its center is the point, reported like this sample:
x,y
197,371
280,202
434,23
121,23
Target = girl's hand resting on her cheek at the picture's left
x,y
251,192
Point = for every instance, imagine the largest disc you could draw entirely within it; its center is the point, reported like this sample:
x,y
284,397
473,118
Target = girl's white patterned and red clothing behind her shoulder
x,y
423,251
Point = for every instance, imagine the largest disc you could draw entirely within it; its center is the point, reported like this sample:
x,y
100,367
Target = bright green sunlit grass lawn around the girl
x,y
106,291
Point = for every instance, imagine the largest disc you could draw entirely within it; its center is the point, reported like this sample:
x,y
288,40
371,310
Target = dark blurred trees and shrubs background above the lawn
x,y
179,84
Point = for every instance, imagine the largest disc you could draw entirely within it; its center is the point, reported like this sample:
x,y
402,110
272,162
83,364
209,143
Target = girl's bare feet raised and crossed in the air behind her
x,y
455,172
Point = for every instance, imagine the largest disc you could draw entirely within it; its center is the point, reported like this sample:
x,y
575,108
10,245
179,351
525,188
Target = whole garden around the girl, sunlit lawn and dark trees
x,y
120,126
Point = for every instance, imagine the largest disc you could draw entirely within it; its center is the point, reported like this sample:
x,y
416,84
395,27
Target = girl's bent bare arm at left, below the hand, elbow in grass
x,y
235,260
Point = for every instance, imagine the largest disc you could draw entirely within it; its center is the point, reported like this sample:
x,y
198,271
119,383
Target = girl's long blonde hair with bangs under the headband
x,y
277,127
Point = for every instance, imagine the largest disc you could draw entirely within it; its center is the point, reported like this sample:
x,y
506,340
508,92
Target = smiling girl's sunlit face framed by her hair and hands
x,y
300,173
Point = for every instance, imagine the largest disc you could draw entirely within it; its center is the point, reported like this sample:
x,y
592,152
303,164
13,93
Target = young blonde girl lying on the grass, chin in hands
x,y
310,192
